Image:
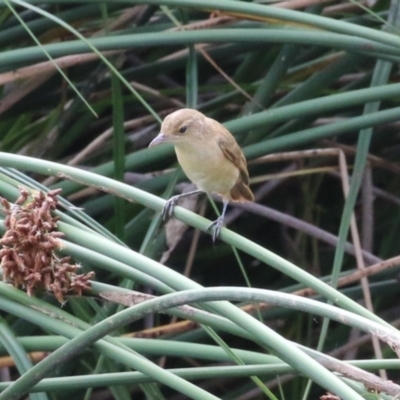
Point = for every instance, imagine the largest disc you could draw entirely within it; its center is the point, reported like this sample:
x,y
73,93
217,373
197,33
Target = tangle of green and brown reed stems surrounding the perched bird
x,y
318,79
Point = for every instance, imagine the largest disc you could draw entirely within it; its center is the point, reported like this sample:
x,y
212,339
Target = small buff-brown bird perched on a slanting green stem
x,y
210,157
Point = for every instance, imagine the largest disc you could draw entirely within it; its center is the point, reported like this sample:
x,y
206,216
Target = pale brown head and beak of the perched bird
x,y
179,126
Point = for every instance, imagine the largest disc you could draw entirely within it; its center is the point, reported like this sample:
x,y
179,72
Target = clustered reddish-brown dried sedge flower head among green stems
x,y
28,256
